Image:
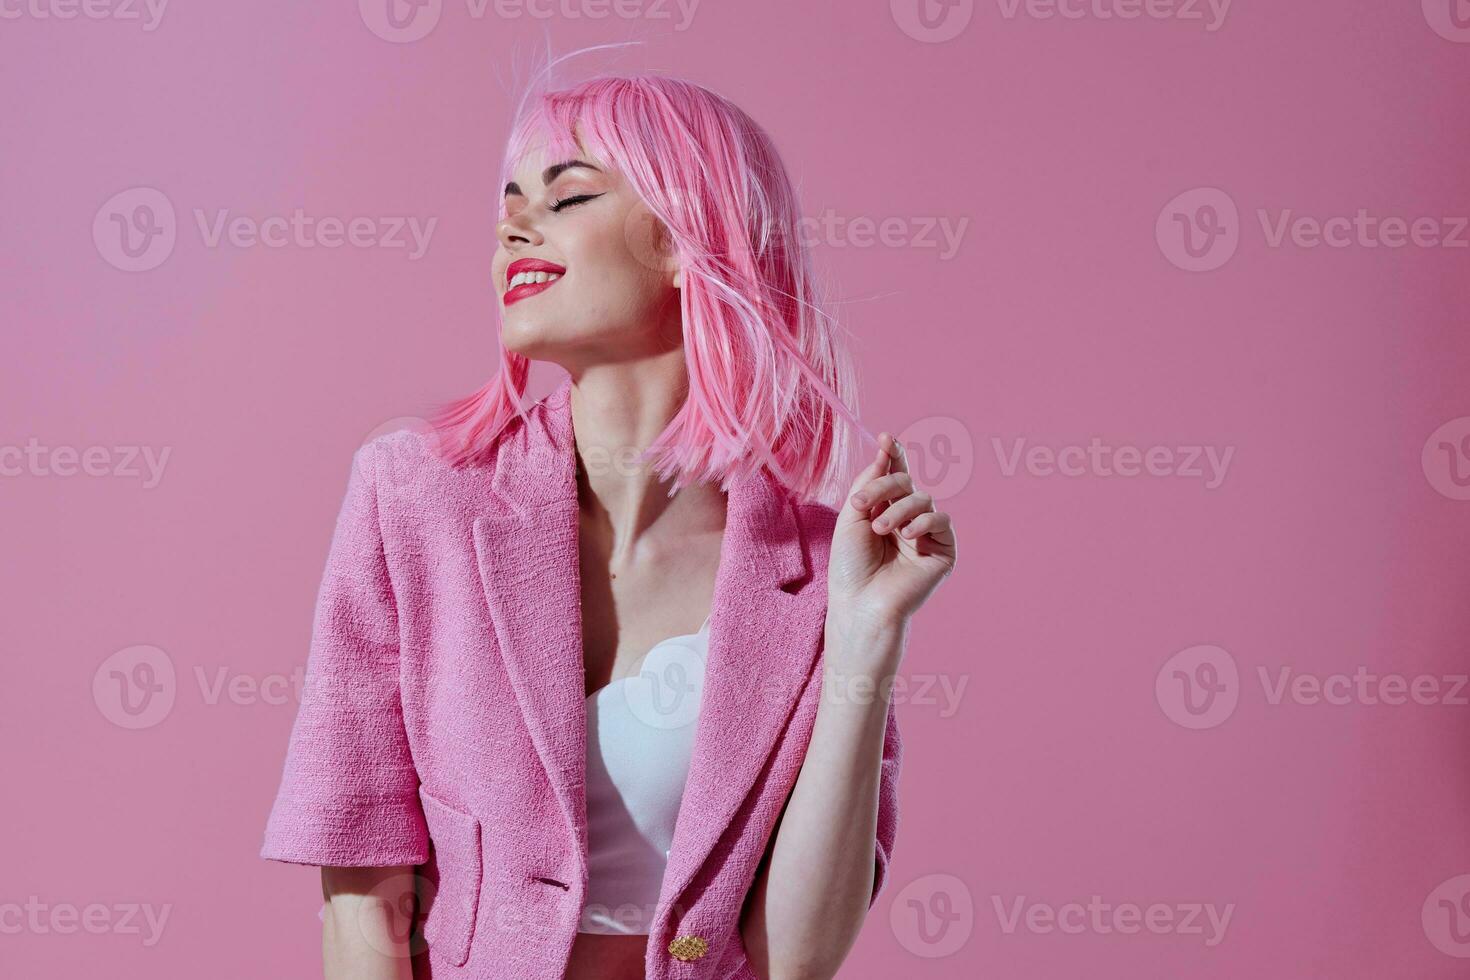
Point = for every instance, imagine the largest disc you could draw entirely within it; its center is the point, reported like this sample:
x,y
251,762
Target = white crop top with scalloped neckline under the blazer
x,y
640,738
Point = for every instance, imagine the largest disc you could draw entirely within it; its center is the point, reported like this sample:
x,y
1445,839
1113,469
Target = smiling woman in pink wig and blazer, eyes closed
x,y
605,681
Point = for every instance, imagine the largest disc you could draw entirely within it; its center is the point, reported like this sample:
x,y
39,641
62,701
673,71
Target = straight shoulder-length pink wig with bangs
x,y
768,370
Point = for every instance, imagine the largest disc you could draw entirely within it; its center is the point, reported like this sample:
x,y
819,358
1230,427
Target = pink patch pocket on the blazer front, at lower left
x,y
451,923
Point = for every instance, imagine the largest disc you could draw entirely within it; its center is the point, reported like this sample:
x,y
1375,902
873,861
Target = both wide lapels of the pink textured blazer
x,y
765,633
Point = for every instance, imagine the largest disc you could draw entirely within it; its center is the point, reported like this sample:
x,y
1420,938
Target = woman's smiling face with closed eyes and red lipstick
x,y
584,273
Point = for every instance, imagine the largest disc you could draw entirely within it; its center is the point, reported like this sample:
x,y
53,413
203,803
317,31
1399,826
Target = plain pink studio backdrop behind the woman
x,y
1064,771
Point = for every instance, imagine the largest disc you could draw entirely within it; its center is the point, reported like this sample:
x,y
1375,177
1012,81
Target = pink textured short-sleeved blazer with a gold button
x,y
443,718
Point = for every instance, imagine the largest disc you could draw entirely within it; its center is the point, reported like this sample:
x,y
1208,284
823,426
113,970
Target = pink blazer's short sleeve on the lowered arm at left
x,y
349,791
